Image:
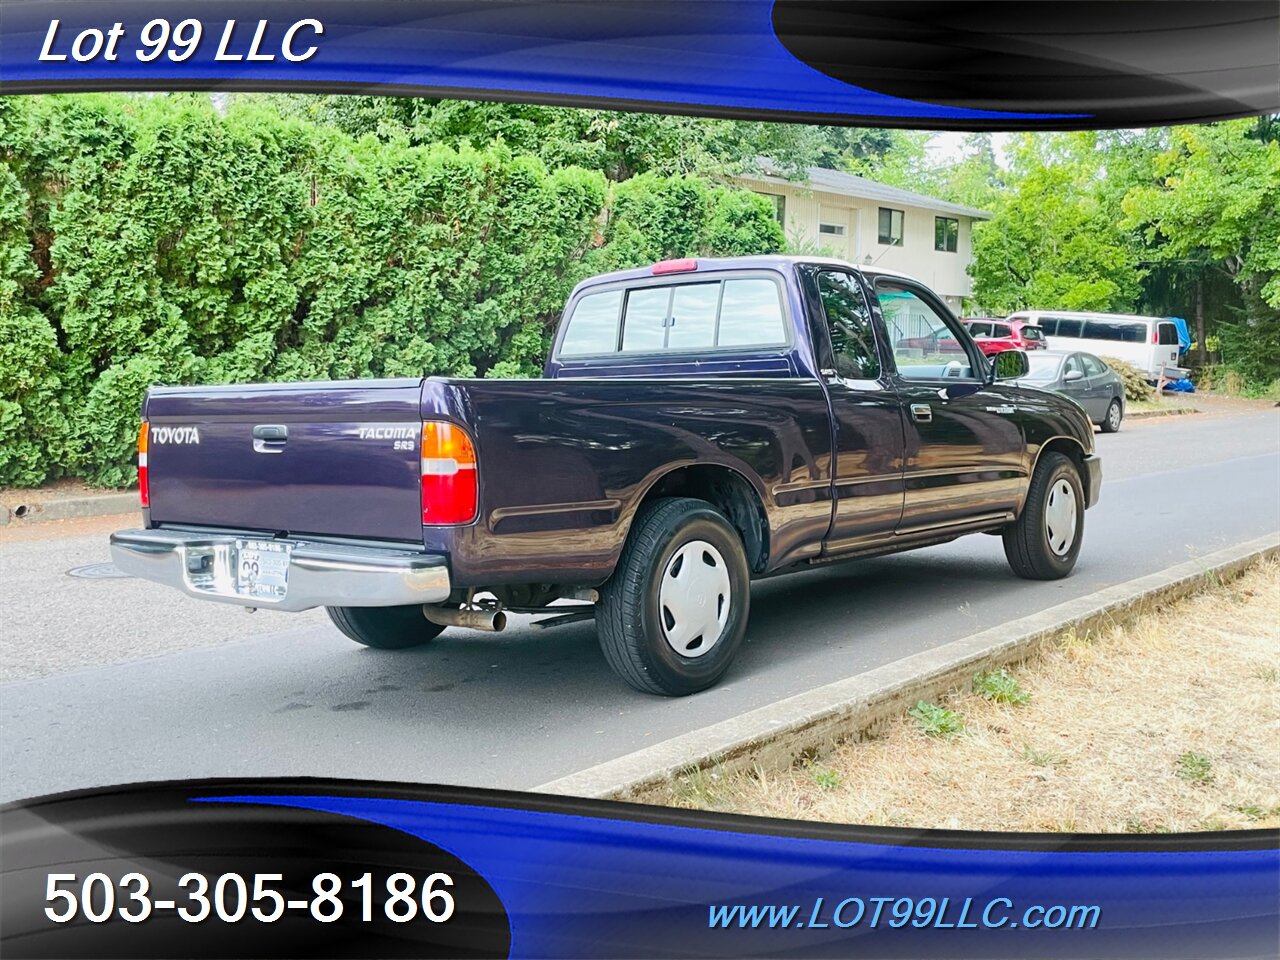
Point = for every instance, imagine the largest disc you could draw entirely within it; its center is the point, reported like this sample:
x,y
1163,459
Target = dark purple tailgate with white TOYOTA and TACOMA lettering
x,y
321,459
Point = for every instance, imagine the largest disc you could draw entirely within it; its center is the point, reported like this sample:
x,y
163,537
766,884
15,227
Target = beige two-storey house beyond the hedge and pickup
x,y
865,222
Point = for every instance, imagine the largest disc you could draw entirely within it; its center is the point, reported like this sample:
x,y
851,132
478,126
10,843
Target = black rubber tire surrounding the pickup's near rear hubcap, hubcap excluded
x,y
630,620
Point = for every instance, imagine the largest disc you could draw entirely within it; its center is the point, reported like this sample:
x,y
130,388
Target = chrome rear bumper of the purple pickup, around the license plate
x,y
319,574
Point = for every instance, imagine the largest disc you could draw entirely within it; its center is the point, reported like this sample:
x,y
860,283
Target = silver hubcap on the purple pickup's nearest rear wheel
x,y
694,600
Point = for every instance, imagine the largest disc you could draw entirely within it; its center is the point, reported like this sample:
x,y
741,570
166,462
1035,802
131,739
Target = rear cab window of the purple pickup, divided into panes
x,y
738,312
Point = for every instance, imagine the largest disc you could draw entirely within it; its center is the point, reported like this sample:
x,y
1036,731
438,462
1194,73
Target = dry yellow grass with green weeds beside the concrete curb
x,y
1172,724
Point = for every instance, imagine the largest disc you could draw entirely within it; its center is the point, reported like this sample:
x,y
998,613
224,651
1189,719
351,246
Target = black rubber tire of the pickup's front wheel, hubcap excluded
x,y
1027,541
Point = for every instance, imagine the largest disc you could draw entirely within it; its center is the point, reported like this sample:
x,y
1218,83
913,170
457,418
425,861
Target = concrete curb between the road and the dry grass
x,y
812,724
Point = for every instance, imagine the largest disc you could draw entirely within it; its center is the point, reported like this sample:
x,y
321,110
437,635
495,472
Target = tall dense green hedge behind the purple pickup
x,y
154,240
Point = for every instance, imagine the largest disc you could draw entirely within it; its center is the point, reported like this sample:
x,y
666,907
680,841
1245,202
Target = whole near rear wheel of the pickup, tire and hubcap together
x,y
674,615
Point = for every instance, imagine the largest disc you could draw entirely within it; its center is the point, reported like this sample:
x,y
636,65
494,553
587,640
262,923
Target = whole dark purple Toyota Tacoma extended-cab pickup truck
x,y
701,424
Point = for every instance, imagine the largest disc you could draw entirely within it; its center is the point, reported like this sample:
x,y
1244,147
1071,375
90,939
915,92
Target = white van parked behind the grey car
x,y
1148,342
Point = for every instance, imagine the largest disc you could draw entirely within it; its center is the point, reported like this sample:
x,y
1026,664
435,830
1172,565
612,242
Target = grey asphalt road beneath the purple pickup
x,y
113,682
